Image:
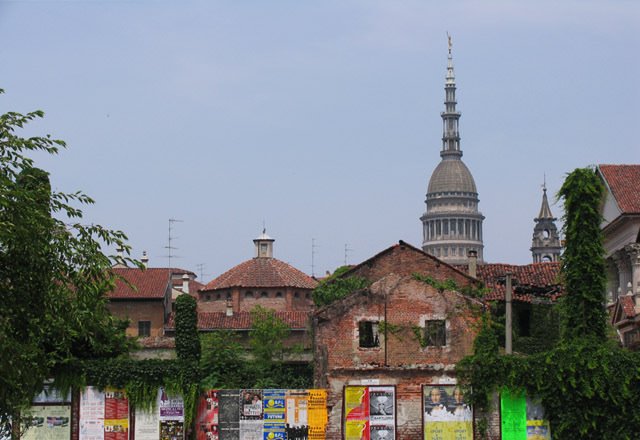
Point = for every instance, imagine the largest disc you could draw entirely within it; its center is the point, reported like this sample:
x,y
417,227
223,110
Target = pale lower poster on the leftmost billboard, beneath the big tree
x,y
48,422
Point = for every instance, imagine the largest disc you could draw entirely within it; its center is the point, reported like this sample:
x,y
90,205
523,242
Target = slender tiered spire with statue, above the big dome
x,y
450,117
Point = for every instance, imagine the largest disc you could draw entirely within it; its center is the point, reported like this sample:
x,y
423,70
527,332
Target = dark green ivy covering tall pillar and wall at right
x,y
589,386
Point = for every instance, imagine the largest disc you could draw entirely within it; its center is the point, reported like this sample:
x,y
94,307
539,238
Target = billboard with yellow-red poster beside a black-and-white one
x,y
369,413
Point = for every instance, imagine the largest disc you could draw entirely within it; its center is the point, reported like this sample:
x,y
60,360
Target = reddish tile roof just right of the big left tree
x,y
150,283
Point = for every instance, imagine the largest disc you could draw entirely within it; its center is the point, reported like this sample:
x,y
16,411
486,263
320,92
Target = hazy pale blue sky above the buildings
x,y
319,120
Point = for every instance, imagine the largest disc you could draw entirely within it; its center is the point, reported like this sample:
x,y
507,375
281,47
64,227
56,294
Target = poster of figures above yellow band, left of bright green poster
x,y
447,415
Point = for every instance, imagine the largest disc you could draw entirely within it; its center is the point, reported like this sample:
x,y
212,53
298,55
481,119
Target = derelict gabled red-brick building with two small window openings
x,y
400,332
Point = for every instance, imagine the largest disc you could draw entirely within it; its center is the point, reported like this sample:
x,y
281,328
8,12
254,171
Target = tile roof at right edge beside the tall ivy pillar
x,y
624,183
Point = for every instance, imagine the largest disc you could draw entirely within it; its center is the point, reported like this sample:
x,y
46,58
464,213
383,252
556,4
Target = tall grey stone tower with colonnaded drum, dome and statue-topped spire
x,y
452,224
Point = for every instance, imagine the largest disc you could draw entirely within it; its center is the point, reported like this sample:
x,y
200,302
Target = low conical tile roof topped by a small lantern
x,y
262,272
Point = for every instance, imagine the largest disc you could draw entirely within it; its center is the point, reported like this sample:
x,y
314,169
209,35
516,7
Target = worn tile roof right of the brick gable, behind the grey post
x,y
532,282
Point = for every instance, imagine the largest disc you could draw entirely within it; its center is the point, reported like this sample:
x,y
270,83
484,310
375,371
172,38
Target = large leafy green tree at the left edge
x,y
53,273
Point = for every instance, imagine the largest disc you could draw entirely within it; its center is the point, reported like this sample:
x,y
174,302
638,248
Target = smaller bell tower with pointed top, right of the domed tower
x,y
545,245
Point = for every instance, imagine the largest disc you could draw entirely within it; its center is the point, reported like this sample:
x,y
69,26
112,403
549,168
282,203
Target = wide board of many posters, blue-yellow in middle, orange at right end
x,y
262,414
